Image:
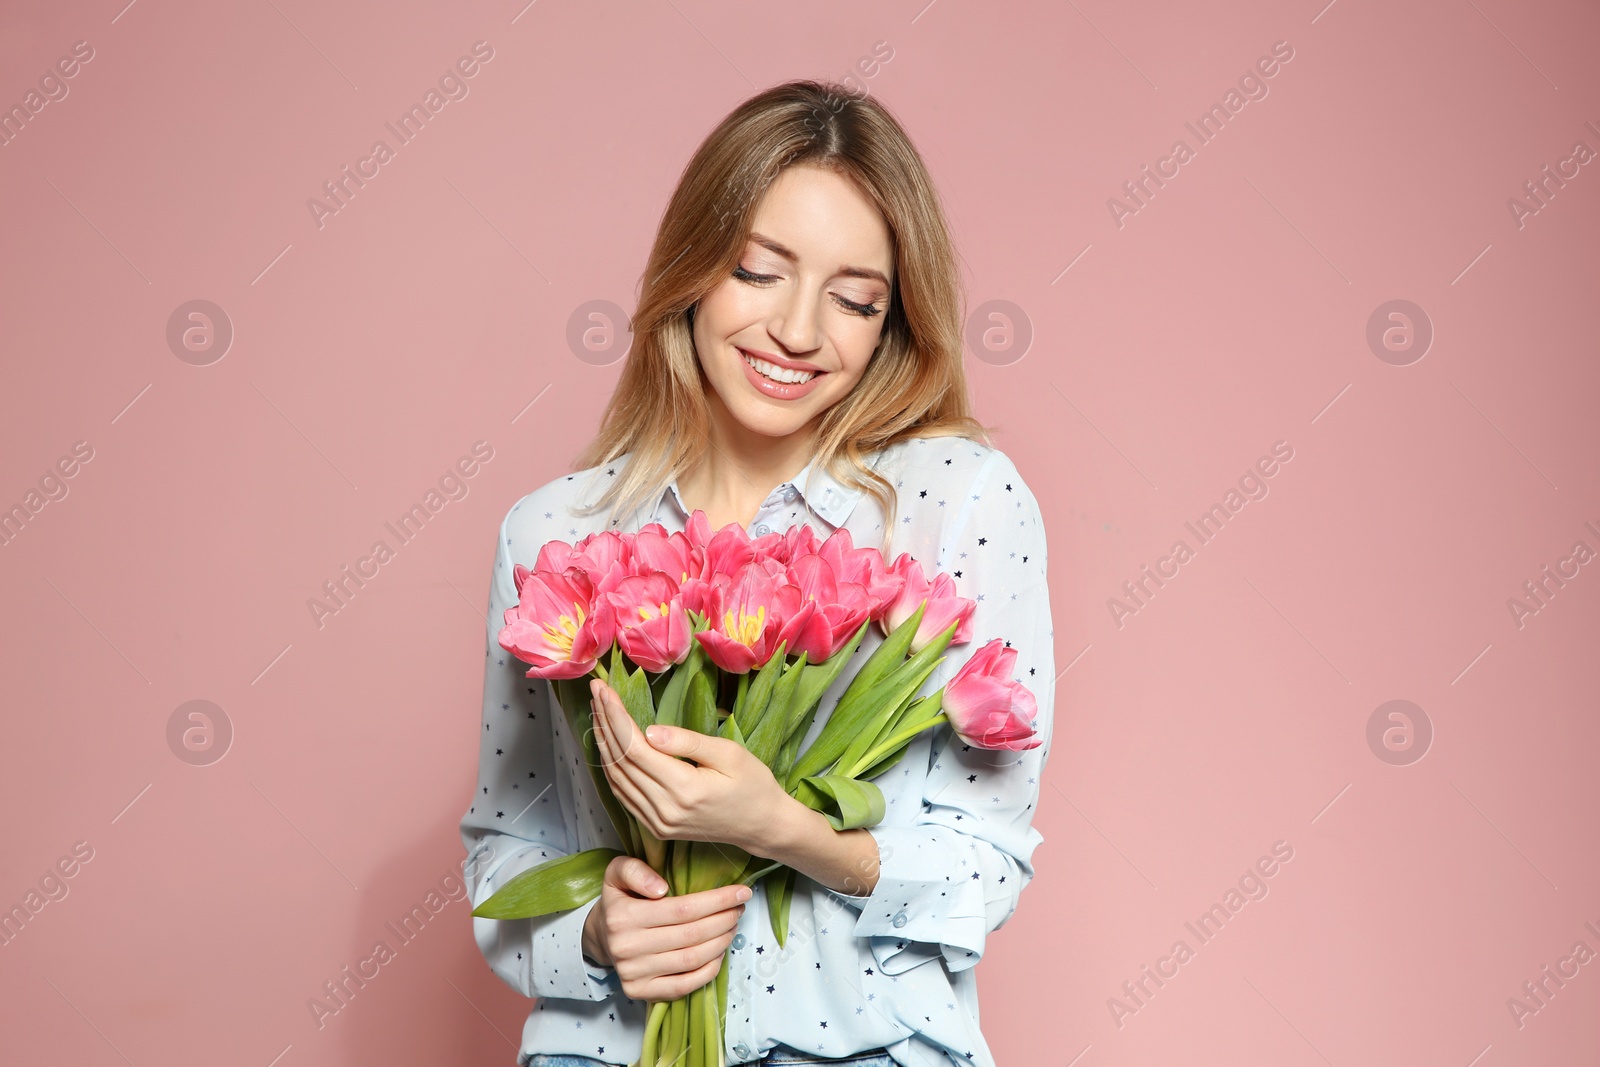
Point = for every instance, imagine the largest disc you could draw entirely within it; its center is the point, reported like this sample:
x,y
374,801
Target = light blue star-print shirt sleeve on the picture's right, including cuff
x,y
956,874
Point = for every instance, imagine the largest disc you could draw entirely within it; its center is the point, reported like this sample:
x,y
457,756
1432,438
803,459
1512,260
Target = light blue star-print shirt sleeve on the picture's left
x,y
518,820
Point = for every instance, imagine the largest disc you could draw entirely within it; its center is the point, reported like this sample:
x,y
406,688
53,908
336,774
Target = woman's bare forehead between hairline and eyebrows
x,y
826,220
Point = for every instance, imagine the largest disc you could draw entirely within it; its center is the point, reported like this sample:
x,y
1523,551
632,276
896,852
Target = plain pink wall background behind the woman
x,y
1167,356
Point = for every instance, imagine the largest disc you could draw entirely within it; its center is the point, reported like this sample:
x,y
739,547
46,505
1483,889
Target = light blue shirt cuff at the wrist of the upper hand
x,y
929,900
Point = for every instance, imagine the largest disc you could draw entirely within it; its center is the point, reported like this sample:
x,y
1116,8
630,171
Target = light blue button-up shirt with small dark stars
x,y
892,969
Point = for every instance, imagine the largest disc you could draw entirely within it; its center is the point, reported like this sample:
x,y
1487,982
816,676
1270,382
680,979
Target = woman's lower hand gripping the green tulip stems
x,y
663,948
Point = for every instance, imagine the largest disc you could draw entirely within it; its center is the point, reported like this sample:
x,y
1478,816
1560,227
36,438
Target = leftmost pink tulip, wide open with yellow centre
x,y
558,625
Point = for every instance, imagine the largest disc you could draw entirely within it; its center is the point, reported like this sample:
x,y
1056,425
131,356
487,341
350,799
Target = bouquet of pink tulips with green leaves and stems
x,y
682,625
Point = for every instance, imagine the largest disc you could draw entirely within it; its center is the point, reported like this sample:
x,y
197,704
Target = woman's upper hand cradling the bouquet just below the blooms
x,y
729,797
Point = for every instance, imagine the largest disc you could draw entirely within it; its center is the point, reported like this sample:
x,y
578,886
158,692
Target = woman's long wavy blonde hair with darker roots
x,y
914,385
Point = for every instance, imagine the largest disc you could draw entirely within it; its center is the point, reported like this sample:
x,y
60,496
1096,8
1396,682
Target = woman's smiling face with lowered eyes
x,y
810,294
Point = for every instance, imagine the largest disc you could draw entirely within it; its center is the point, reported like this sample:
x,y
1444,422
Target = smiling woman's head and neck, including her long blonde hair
x,y
807,236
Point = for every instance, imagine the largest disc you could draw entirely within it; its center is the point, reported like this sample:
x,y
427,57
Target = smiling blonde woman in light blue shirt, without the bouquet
x,y
798,359
